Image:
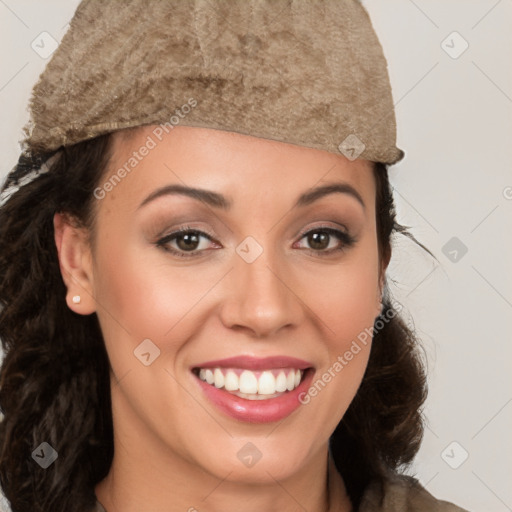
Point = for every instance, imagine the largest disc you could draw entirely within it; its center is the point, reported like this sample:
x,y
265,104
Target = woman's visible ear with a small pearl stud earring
x,y
75,263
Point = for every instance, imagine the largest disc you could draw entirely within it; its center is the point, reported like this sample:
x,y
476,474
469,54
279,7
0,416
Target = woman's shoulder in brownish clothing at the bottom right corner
x,y
402,493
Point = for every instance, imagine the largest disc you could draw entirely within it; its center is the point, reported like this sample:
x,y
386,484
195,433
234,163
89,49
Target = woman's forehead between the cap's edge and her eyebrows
x,y
237,165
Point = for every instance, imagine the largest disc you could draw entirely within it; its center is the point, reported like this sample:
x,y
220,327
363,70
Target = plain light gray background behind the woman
x,y
455,125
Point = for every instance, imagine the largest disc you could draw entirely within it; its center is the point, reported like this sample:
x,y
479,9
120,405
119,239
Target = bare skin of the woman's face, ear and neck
x,y
174,450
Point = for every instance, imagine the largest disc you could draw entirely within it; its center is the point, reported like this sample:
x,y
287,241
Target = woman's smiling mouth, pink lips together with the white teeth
x,y
255,390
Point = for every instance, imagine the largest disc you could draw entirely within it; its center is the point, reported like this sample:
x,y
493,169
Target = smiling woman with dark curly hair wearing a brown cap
x,y
195,313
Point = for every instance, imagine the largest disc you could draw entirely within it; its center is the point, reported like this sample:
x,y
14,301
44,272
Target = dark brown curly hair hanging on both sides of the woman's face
x,y
54,378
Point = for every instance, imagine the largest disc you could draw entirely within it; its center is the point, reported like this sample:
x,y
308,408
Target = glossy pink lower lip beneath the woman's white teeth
x,y
257,411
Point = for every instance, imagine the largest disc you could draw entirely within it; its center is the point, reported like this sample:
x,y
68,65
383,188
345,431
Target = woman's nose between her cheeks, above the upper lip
x,y
261,297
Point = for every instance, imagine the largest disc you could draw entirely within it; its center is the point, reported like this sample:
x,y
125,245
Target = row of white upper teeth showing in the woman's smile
x,y
253,385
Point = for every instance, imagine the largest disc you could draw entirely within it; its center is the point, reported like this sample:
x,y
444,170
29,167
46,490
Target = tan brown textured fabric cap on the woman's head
x,y
310,73
